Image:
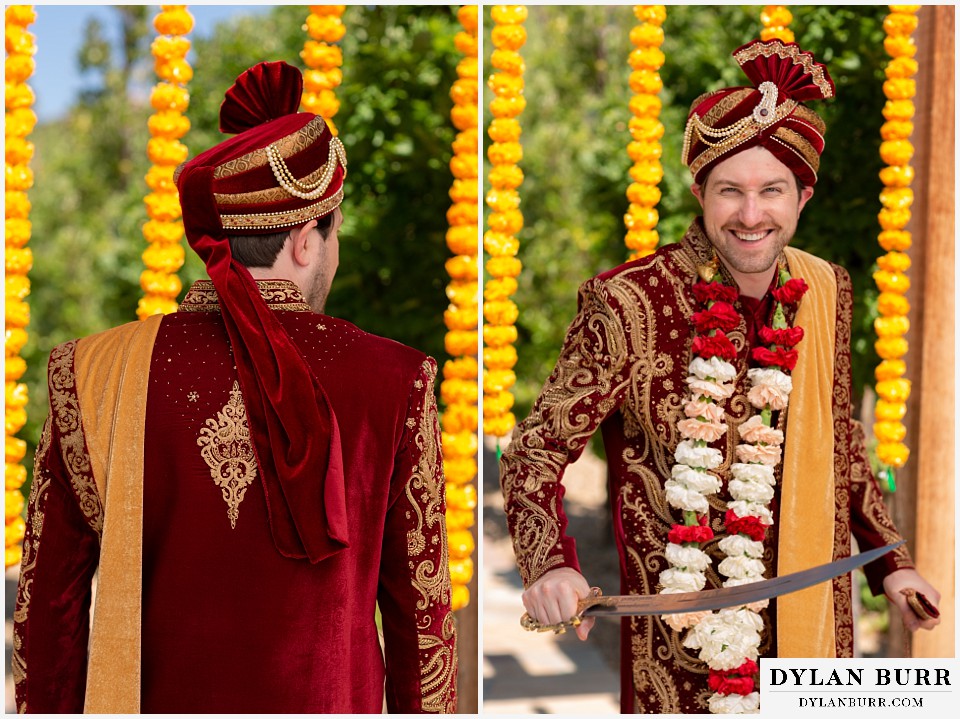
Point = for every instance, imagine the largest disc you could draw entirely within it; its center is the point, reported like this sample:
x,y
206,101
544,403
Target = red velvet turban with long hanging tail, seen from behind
x,y
282,170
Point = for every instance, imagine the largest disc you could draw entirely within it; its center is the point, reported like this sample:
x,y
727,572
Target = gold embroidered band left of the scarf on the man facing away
x,y
66,410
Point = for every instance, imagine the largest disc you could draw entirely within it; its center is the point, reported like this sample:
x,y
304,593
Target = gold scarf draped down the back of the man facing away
x,y
112,372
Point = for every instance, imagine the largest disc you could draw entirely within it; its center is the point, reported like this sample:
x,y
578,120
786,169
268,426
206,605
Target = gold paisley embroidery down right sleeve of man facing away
x,y
431,577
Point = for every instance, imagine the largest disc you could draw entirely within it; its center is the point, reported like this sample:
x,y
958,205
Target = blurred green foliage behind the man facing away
x,y
399,64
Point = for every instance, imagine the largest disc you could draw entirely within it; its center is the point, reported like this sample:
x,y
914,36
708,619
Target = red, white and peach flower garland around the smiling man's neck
x,y
729,639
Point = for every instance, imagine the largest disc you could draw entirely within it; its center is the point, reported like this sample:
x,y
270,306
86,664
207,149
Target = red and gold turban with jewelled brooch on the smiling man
x,y
770,114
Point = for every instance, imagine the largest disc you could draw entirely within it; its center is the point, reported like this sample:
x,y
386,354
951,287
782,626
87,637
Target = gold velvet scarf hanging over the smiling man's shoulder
x,y
805,619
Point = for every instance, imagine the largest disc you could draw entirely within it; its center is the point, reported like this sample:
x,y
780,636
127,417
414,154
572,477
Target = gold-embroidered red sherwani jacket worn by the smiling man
x,y
622,370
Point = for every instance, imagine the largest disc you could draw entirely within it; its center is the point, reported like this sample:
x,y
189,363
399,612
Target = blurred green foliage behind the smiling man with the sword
x,y
575,162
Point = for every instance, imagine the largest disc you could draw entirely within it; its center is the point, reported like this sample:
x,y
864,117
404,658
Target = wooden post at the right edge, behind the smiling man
x,y
929,476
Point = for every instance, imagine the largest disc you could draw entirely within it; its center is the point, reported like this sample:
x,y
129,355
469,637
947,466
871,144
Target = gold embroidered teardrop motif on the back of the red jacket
x,y
227,449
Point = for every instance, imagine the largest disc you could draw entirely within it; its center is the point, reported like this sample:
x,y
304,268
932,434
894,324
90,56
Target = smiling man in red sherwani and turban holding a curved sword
x,y
685,361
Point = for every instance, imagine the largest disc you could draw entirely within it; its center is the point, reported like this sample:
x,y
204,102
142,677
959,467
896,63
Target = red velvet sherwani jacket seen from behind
x,y
229,625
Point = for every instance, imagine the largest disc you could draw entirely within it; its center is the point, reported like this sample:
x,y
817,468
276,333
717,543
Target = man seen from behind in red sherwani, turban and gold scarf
x,y
250,476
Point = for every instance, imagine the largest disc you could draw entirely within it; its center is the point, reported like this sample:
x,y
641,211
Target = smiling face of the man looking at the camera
x,y
750,209
